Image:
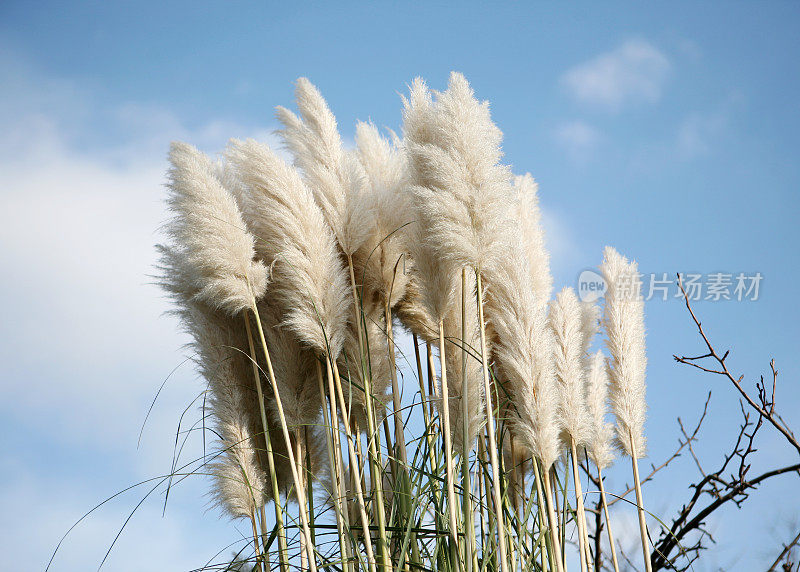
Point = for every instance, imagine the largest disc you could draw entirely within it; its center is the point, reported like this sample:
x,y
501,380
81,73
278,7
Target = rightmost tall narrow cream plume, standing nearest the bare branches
x,y
623,320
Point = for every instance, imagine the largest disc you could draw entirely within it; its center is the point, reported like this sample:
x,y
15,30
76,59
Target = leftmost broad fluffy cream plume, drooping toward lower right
x,y
208,229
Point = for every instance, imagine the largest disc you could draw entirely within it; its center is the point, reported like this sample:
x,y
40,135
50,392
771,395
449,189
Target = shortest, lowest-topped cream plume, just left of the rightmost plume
x,y
601,433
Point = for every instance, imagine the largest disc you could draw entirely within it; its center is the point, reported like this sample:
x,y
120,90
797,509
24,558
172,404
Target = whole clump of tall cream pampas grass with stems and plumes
x,y
315,412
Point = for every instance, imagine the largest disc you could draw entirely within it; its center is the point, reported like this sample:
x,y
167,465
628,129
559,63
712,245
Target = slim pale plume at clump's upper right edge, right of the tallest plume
x,y
533,240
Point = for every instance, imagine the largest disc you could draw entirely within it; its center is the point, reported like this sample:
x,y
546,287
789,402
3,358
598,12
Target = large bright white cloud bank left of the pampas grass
x,y
84,340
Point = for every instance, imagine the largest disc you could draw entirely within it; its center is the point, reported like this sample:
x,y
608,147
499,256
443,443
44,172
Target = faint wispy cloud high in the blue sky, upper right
x,y
632,73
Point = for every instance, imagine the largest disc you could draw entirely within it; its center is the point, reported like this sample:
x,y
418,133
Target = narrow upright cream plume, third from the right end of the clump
x,y
566,321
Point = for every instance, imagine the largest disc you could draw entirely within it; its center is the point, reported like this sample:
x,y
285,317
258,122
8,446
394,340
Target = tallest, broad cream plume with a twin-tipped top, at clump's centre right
x,y
462,192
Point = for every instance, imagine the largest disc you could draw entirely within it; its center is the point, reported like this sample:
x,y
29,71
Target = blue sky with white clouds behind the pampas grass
x,y
670,132
